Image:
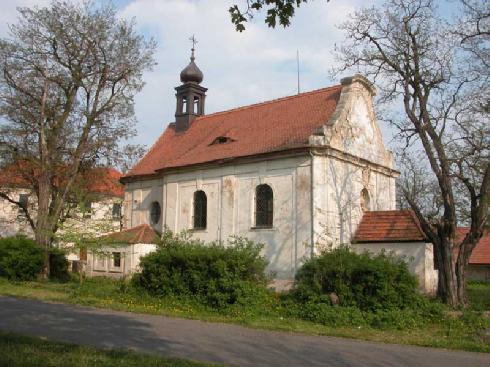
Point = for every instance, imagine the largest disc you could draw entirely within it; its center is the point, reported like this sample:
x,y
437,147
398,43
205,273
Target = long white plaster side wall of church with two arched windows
x,y
230,192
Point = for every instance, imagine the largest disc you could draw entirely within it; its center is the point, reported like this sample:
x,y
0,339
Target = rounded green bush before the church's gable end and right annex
x,y
369,282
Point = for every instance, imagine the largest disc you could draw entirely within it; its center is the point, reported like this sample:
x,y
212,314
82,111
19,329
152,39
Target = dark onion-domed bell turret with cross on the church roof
x,y
190,94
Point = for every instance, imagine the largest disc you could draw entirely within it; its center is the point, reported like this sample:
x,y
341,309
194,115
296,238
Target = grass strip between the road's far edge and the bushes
x,y
453,333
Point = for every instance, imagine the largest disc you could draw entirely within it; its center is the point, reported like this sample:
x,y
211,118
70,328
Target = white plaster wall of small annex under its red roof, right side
x,y
418,255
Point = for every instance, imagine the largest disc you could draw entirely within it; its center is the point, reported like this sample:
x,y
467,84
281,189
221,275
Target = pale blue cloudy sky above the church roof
x,y
256,65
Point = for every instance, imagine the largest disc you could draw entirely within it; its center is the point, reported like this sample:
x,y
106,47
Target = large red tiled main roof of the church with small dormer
x,y
277,125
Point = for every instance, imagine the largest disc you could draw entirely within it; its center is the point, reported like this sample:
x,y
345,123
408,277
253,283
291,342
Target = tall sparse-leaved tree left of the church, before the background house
x,y
69,73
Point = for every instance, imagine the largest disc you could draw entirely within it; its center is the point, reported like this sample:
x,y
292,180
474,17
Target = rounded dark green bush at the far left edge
x,y
20,258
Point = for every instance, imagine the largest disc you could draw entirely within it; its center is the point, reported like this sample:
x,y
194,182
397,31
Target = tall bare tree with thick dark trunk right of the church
x,y
437,70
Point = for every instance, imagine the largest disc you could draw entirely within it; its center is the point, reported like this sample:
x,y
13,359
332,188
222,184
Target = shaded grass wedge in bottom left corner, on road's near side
x,y
21,351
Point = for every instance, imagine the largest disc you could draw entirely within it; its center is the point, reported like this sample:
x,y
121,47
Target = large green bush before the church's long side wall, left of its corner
x,y
216,274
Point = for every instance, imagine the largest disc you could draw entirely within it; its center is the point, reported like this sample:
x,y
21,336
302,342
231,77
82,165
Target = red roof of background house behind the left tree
x,y
100,180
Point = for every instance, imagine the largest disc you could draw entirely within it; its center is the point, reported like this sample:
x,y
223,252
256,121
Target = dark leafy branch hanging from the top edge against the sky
x,y
277,11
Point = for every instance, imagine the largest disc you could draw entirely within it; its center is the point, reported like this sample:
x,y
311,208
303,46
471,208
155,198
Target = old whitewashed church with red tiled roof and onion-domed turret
x,y
295,173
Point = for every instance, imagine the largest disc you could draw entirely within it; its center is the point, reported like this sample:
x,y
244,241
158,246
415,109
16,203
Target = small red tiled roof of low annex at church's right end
x,y
389,226
